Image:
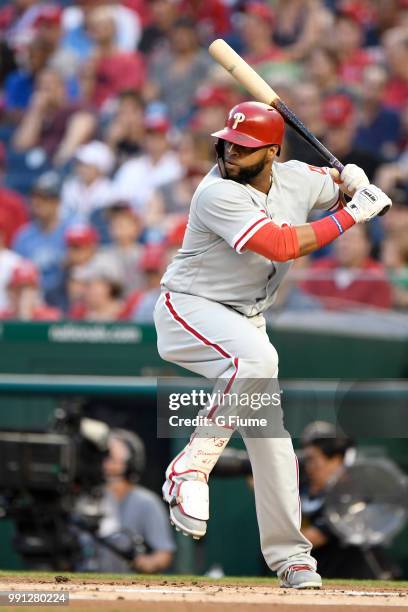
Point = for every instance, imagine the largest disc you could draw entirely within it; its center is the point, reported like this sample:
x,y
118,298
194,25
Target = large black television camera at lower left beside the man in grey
x,y
51,487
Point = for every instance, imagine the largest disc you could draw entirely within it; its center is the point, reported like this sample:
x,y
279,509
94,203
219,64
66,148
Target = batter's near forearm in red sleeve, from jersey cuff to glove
x,y
286,243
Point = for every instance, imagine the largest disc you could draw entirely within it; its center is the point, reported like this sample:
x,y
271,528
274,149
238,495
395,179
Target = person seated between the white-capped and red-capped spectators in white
x,y
125,132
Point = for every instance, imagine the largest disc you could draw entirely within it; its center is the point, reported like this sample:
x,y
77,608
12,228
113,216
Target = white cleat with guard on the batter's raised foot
x,y
187,496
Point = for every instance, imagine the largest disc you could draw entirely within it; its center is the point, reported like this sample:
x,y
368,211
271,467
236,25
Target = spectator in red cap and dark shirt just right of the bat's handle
x,y
341,124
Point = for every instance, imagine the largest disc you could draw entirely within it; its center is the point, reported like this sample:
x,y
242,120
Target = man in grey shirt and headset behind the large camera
x,y
132,516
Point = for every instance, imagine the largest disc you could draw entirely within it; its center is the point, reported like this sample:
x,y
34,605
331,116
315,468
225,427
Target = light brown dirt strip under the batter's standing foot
x,y
175,595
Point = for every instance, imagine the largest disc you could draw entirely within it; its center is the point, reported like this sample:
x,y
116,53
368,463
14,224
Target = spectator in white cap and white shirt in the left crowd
x,y
89,188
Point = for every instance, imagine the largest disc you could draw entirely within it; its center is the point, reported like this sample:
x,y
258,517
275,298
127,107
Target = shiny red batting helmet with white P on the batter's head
x,y
253,124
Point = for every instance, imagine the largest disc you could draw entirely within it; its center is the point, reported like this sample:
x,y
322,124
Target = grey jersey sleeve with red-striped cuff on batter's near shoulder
x,y
225,209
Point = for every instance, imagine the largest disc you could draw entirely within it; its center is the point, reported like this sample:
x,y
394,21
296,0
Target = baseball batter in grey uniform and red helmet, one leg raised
x,y
247,223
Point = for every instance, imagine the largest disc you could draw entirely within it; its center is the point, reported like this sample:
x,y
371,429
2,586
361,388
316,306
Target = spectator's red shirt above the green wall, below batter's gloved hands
x,y
339,288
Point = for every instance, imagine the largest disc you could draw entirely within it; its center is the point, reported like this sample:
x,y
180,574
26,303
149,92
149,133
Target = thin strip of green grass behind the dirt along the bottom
x,y
227,580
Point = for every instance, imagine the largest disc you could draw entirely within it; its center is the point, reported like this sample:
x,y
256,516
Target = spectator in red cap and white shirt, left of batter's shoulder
x,y
136,180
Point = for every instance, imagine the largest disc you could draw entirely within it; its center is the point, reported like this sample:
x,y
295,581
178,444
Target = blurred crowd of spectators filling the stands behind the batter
x,y
106,110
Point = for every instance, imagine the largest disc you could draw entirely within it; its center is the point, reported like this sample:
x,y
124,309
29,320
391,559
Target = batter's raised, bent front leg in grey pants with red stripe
x,y
216,342
